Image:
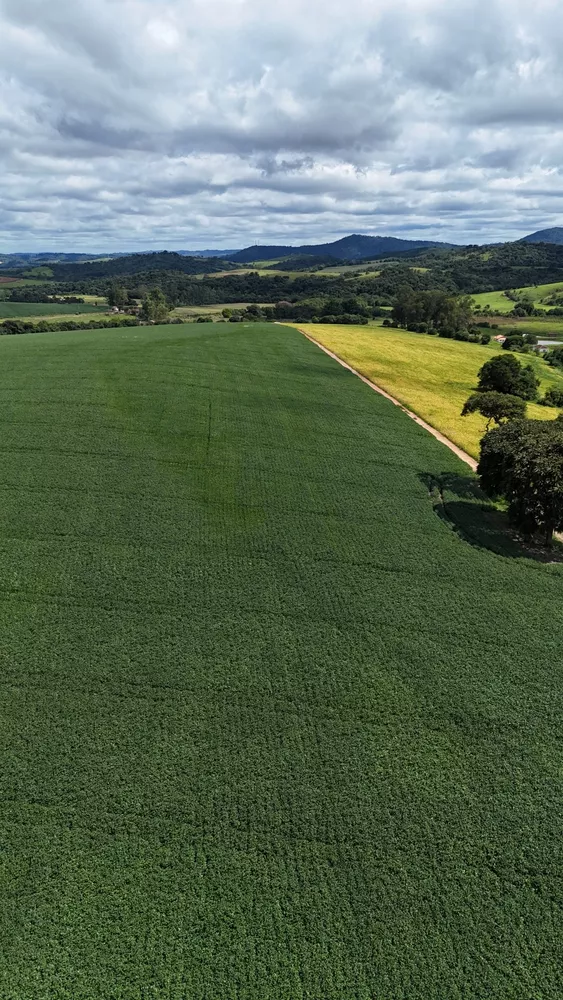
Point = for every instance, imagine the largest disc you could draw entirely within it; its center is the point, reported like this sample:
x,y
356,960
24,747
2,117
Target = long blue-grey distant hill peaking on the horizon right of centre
x,y
354,247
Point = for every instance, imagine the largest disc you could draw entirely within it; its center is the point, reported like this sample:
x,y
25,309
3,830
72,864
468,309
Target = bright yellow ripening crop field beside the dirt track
x,y
430,375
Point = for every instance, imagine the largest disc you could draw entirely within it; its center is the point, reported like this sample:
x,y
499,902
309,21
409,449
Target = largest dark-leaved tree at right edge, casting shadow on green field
x,y
522,461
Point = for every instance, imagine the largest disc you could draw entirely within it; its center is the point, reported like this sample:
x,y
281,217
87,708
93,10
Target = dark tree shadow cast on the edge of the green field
x,y
460,502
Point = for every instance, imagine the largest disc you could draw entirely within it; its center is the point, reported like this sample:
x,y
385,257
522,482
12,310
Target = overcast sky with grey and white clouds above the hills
x,y
130,124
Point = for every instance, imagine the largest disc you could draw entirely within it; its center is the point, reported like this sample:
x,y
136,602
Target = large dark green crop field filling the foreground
x,y
271,729
